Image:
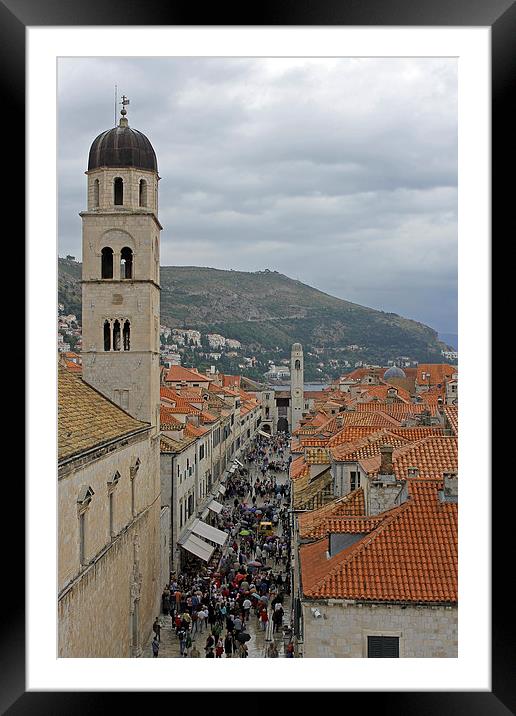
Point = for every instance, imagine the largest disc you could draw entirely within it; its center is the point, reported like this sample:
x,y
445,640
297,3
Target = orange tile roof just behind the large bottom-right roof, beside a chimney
x,y
432,455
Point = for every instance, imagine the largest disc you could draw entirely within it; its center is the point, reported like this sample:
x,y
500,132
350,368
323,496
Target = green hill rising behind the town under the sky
x,y
268,311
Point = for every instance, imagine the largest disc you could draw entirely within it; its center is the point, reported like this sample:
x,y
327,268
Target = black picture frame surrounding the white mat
x,y
500,15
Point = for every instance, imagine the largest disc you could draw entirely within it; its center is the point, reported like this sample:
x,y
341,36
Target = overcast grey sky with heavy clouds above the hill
x,y
341,173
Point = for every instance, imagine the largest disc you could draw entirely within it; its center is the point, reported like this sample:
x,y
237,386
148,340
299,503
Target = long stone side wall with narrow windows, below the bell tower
x,y
97,598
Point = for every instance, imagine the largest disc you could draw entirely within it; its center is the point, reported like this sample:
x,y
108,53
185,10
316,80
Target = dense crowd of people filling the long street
x,y
211,612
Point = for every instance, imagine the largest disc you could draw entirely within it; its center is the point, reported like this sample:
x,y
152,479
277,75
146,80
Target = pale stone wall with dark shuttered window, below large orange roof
x,y
341,631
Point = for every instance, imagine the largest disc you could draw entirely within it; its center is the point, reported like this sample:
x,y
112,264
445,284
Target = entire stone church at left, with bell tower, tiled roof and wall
x,y
108,459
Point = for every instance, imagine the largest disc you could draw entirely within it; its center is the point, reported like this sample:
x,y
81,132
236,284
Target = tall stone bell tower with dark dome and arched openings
x,y
120,272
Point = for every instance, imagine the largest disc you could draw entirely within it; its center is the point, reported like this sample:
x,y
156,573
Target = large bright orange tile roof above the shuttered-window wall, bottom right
x,y
412,556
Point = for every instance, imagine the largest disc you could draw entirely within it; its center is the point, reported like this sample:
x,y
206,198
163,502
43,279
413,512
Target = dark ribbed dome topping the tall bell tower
x,y
122,146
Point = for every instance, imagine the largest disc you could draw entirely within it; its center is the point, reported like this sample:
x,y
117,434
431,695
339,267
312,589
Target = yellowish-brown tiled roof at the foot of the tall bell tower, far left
x,y
86,419
